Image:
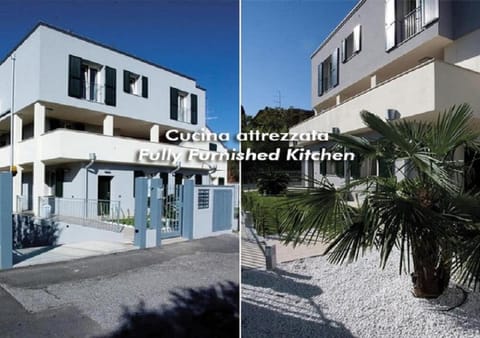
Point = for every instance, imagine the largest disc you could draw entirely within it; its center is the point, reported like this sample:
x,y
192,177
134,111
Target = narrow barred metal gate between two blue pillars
x,y
172,222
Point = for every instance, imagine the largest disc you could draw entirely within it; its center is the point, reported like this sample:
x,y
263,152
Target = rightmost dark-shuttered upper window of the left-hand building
x,y
183,106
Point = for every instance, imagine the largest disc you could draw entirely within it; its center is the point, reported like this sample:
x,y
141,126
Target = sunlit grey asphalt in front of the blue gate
x,y
87,297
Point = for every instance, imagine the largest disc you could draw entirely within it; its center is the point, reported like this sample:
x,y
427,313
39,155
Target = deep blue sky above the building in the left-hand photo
x,y
197,38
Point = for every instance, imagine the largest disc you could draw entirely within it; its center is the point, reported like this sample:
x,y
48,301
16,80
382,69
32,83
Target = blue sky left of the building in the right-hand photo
x,y
278,38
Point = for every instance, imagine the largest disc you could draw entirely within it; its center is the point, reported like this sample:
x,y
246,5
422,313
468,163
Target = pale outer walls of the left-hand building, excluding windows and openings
x,y
42,75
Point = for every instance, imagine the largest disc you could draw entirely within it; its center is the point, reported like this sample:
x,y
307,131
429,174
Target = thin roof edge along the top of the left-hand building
x,y
60,30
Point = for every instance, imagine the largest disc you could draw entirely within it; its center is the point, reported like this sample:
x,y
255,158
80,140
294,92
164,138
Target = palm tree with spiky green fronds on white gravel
x,y
416,204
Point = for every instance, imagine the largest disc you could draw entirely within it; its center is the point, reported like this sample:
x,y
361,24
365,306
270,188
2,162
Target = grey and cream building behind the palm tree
x,y
406,59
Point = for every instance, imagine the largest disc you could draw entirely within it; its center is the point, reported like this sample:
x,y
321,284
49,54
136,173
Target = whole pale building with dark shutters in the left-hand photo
x,y
81,113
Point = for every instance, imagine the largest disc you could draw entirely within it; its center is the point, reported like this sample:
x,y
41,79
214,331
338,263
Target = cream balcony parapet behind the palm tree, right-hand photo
x,y
416,93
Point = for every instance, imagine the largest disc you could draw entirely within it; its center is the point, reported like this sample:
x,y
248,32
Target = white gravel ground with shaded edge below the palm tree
x,y
313,298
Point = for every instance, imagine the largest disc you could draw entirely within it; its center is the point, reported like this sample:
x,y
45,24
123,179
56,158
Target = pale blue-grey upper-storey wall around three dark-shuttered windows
x,y
55,49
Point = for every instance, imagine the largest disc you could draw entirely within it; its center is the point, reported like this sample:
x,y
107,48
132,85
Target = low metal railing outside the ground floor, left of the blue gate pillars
x,y
90,210
